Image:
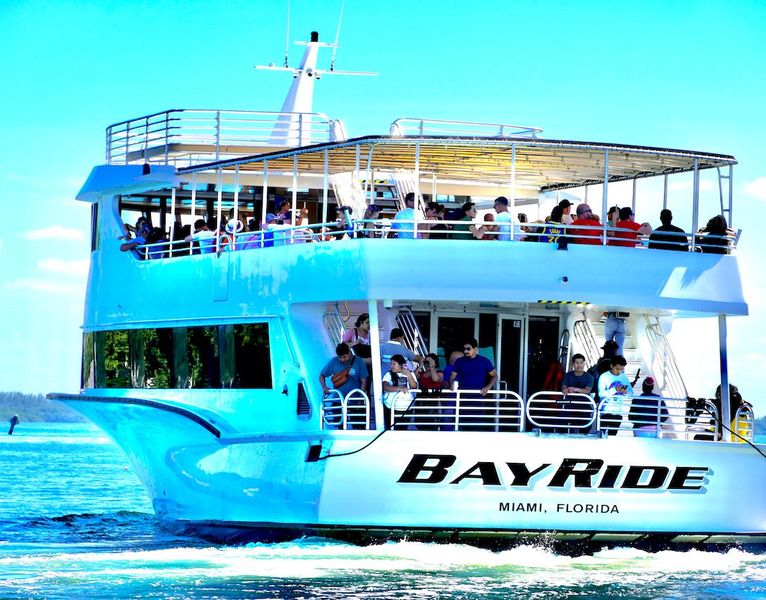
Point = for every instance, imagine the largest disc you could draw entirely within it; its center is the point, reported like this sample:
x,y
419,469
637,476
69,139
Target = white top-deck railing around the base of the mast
x,y
186,137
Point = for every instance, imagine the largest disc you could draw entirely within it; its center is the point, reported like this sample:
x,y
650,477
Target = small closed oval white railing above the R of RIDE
x,y
561,413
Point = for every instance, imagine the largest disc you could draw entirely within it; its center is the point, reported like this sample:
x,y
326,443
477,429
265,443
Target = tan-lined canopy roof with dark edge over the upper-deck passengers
x,y
542,164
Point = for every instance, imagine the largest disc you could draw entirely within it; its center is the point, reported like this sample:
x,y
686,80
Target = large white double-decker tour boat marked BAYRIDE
x,y
201,356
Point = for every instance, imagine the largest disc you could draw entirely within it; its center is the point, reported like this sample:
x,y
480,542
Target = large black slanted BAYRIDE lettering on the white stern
x,y
591,473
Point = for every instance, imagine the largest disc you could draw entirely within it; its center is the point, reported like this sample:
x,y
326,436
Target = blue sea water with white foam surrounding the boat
x,y
75,523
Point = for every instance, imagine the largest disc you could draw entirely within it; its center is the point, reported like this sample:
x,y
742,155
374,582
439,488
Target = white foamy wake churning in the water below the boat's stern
x,y
116,555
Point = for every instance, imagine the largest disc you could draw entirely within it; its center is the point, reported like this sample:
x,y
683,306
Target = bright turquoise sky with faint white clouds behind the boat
x,y
676,74
